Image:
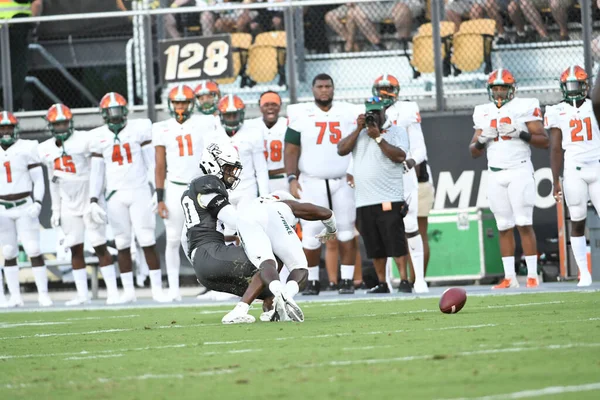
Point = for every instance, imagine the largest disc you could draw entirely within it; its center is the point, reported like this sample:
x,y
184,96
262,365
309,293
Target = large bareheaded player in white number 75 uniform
x,y
317,174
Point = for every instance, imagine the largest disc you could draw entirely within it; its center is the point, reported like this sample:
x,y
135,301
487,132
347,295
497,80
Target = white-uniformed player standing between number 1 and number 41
x,y
67,157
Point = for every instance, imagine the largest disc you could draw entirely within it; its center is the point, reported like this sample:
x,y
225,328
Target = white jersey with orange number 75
x,y
318,132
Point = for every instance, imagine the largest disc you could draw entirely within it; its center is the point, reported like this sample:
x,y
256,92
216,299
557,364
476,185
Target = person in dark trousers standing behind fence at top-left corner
x,y
18,39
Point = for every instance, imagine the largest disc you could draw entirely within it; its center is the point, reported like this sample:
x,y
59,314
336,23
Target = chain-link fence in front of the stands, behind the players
x,y
282,45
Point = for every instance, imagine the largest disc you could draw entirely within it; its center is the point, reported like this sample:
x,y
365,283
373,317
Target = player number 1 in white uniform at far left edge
x,y
20,206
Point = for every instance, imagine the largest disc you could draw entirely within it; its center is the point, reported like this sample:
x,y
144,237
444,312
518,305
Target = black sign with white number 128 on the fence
x,y
196,58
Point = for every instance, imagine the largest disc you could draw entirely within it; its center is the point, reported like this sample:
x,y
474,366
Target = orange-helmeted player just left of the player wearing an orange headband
x,y
248,141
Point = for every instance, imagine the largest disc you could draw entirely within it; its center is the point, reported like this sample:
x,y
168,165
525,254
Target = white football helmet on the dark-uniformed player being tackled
x,y
223,161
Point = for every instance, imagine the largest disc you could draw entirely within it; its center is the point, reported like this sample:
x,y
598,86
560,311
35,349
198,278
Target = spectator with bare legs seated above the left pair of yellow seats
x,y
225,21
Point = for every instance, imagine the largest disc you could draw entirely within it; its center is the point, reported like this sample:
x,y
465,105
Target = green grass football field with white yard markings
x,y
350,350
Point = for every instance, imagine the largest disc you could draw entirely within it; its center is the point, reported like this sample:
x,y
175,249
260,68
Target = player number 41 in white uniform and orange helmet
x,y
122,155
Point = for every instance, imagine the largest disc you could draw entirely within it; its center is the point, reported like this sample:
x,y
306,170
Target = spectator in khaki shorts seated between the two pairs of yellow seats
x,y
361,16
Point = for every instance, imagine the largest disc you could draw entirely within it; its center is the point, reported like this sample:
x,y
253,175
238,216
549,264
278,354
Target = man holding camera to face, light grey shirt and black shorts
x,y
378,155
